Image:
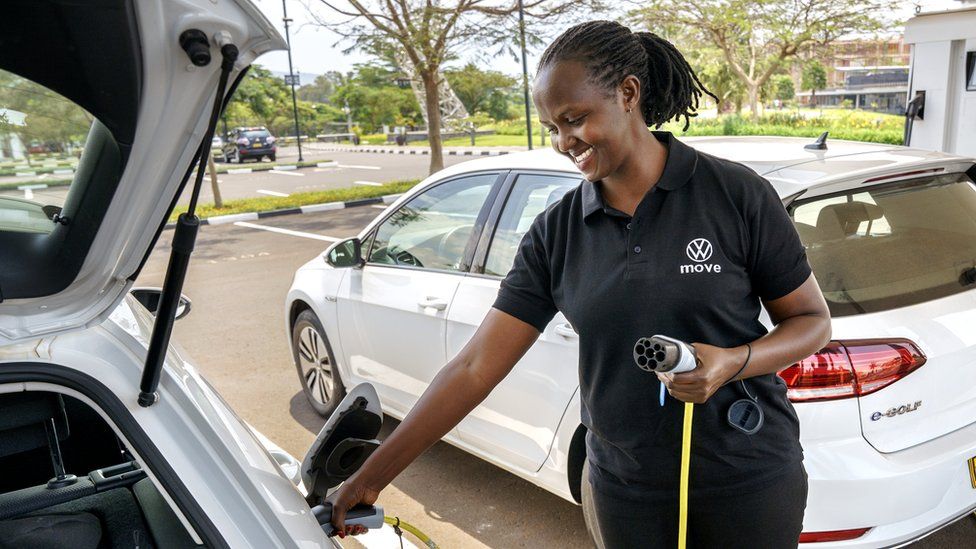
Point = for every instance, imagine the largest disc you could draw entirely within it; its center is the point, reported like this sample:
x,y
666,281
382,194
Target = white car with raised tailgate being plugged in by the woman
x,y
86,458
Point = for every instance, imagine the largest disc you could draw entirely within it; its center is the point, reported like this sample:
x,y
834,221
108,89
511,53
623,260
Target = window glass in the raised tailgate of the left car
x,y
42,135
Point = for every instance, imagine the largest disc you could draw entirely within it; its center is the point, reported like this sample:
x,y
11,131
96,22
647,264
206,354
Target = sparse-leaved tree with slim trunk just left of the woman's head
x,y
427,32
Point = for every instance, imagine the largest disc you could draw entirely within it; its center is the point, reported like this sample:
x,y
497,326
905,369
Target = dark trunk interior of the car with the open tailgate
x,y
110,504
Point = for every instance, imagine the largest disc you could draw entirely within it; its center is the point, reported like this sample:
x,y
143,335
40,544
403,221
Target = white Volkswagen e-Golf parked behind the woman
x,y
887,410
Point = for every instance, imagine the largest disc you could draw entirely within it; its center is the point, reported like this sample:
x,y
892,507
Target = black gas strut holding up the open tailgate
x,y
194,42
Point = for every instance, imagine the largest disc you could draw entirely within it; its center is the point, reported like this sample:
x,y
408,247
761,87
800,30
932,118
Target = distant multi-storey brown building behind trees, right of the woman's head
x,y
870,74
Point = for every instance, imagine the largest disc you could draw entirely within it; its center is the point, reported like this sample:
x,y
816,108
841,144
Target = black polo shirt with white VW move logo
x,y
704,246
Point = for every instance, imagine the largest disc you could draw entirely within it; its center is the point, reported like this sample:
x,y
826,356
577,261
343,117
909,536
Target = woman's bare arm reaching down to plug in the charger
x,y
462,384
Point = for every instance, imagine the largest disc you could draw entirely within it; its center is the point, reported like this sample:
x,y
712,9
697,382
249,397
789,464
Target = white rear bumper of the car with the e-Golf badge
x,y
902,496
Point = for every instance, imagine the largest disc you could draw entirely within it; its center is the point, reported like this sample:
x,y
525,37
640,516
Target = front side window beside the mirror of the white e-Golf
x,y
433,229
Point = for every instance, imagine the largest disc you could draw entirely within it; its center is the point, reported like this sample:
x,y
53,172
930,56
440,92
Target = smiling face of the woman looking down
x,y
587,122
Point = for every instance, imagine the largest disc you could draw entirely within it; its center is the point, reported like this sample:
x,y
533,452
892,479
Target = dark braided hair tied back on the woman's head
x,y
670,89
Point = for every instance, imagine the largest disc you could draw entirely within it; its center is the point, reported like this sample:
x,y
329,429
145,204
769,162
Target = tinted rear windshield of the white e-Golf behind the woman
x,y
891,246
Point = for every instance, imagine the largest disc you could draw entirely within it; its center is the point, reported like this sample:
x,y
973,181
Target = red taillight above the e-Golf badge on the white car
x,y
845,369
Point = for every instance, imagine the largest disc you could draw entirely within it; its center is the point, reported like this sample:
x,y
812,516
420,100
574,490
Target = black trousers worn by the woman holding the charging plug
x,y
771,517
